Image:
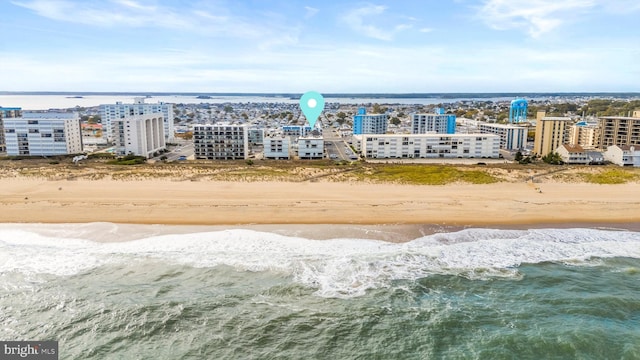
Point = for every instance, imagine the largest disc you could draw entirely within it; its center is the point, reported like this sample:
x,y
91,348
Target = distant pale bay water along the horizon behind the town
x,y
45,101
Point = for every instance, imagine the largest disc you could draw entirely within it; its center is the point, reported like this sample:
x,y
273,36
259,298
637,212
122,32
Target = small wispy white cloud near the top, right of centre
x,y
362,19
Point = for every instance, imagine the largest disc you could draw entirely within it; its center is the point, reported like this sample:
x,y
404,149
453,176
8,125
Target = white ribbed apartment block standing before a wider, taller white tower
x,y
140,135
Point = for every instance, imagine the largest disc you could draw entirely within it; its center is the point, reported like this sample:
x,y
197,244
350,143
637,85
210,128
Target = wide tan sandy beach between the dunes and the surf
x,y
26,200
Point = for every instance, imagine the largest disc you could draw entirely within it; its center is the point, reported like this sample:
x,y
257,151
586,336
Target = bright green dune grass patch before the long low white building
x,y
430,175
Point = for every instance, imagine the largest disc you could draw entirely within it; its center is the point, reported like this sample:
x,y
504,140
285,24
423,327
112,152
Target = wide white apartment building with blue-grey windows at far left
x,y
43,134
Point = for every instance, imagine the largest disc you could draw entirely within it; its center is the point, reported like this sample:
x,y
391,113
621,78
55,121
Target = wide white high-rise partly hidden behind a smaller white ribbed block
x,y
111,112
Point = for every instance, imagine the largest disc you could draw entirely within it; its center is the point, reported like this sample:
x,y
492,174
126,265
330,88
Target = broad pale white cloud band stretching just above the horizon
x,y
328,68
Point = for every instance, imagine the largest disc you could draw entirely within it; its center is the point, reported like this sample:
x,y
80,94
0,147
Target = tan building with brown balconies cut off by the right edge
x,y
617,130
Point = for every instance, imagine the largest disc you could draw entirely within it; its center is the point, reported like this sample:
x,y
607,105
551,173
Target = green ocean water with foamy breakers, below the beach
x,y
244,294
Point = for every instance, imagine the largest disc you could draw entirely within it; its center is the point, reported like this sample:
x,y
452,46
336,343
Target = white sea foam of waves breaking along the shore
x,y
339,267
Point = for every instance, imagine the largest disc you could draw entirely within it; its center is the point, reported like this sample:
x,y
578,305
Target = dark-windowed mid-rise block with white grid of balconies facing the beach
x,y
221,142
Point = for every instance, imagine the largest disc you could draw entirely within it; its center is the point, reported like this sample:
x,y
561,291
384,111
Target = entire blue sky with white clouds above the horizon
x,y
400,46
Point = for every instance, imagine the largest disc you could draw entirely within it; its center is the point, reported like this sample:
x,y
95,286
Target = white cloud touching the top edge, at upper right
x,y
536,17
